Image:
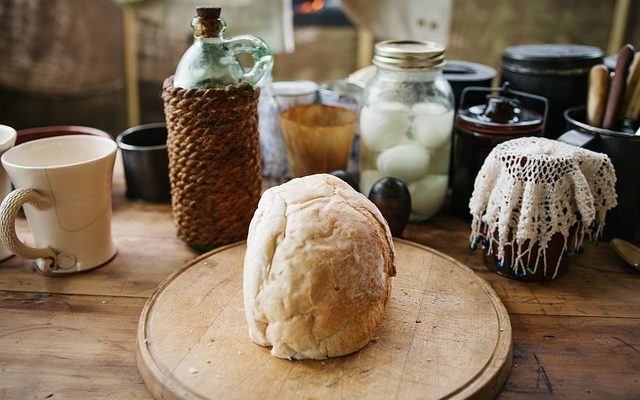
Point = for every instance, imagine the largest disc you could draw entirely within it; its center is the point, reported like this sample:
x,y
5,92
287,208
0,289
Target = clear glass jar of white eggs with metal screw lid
x,y
406,122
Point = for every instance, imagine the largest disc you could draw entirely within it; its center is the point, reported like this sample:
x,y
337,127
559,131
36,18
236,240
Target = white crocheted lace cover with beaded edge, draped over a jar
x,y
529,189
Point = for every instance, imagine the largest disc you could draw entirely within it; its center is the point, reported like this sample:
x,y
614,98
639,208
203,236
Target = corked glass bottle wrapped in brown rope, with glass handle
x,y
213,142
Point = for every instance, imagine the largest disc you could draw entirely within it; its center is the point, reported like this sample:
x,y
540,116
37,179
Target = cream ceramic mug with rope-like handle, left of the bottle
x,y
64,184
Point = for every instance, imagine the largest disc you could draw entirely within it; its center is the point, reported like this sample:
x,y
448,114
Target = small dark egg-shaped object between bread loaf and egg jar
x,y
393,199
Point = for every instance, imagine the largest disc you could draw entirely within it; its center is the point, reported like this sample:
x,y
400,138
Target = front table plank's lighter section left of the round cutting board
x,y
80,347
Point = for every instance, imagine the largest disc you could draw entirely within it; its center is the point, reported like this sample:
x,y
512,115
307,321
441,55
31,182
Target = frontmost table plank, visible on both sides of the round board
x,y
82,347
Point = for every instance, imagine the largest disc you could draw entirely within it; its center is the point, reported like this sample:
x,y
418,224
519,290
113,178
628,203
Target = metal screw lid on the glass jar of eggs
x,y
408,54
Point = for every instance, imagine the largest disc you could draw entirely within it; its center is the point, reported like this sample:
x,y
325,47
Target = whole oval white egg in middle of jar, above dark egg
x,y
407,162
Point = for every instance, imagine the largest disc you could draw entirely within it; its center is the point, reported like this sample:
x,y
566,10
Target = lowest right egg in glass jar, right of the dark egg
x,y
428,195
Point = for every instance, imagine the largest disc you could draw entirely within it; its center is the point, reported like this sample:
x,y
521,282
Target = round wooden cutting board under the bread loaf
x,y
446,334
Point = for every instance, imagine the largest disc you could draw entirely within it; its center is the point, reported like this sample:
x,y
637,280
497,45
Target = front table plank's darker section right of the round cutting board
x,y
574,358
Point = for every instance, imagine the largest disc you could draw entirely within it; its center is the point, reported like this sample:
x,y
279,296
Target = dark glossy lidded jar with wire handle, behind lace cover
x,y
486,118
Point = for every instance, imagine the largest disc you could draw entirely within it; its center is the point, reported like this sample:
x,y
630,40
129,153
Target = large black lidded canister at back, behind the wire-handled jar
x,y
558,72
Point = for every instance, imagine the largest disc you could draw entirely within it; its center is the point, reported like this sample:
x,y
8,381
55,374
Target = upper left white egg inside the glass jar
x,y
383,125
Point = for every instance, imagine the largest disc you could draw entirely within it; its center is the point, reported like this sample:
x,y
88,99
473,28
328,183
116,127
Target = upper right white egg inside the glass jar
x,y
432,124
